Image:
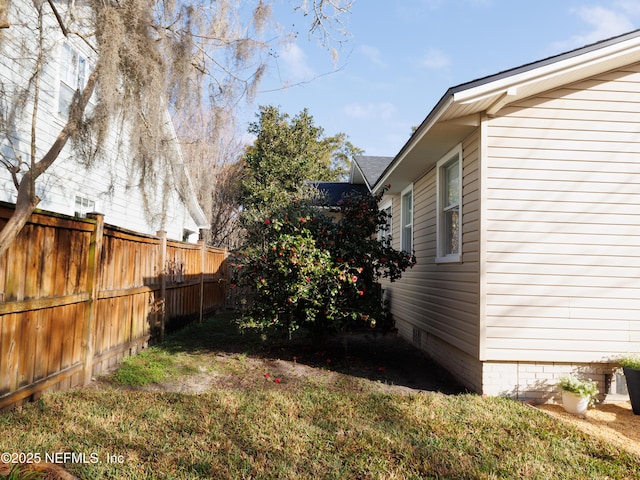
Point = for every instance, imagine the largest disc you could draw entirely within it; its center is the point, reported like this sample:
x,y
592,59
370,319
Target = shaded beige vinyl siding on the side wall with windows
x,y
441,299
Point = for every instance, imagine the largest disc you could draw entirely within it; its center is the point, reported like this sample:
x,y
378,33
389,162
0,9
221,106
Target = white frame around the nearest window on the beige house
x,y
441,234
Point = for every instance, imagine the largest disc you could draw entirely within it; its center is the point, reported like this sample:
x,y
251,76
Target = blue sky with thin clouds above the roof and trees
x,y
402,56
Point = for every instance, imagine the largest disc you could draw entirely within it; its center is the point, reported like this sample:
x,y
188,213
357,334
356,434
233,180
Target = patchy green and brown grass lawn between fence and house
x,y
207,405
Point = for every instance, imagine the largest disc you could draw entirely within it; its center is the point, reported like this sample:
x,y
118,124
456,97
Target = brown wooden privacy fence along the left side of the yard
x,y
76,296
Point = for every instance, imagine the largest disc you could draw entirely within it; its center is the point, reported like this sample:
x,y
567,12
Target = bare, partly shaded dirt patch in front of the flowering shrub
x,y
361,361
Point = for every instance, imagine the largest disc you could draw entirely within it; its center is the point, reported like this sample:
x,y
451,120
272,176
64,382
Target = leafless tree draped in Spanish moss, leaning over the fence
x,y
148,56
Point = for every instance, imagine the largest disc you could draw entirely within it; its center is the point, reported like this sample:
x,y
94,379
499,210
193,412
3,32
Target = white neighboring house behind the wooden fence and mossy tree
x,y
111,186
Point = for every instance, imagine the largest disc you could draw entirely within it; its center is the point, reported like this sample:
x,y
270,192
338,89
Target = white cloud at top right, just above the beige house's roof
x,y
605,23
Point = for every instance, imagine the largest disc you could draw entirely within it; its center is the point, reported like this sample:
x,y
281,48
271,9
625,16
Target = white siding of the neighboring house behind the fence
x,y
111,183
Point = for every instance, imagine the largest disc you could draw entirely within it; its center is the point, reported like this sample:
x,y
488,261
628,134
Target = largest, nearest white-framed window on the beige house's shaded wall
x,y
449,205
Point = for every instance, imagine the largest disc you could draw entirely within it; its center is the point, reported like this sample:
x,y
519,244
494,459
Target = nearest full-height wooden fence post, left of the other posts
x,y
93,275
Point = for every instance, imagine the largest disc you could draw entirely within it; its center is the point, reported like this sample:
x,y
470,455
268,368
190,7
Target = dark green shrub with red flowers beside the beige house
x,y
300,268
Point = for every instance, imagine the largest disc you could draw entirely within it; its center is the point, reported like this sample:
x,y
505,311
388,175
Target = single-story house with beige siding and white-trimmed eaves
x,y
520,195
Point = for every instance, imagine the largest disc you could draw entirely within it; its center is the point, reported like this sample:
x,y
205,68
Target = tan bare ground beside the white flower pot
x,y
612,422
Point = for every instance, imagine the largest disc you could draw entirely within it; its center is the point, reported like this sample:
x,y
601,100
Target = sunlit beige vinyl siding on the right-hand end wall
x,y
563,224
